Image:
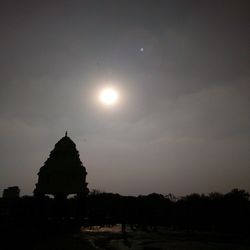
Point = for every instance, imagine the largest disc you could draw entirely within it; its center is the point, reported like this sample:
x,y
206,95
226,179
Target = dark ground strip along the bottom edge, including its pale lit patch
x,y
111,238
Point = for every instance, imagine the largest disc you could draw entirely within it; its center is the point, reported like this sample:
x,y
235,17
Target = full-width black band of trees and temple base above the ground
x,y
212,212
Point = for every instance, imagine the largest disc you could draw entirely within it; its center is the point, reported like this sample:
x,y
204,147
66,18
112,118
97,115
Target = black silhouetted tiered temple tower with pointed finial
x,y
63,172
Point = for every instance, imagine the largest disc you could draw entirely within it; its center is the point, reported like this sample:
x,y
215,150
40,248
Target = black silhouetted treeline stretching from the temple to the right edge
x,y
215,212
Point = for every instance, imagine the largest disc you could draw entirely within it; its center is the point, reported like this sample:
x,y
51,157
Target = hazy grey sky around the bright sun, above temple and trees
x,y
183,122
